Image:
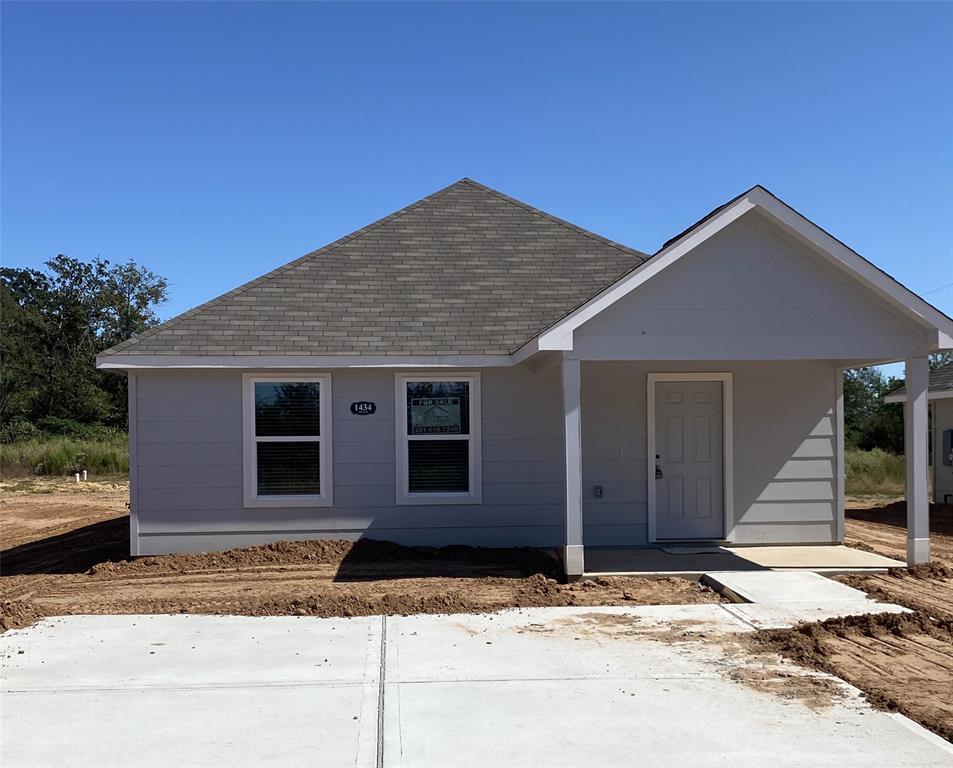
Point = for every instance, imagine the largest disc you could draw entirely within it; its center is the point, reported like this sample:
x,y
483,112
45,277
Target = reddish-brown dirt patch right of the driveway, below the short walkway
x,y
901,661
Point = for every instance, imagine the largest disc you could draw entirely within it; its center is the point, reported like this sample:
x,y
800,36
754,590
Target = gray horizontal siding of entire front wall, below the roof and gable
x,y
189,476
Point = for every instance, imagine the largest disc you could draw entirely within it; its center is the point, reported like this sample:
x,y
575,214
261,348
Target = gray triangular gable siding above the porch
x,y
749,293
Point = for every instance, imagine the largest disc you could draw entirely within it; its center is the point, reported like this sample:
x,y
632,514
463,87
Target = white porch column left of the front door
x,y
572,411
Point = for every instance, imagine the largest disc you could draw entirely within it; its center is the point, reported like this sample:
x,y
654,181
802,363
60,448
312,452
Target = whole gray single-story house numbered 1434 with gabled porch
x,y
472,370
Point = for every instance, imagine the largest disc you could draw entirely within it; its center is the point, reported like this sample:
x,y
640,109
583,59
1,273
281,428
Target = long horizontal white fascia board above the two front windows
x,y
286,362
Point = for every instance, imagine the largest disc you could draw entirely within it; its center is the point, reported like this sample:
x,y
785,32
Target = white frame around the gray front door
x,y
726,380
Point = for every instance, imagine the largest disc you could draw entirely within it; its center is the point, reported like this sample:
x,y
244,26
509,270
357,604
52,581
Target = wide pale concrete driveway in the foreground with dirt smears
x,y
649,686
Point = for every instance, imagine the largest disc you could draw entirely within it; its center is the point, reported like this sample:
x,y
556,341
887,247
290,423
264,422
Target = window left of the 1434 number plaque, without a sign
x,y
287,445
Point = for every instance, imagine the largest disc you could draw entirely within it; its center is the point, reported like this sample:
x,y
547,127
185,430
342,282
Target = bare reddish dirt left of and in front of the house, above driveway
x,y
65,552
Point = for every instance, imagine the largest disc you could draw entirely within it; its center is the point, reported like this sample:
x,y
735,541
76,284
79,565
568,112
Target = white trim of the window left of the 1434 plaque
x,y
249,440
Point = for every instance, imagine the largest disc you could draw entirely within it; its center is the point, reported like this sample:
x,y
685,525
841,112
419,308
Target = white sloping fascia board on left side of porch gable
x,y
560,335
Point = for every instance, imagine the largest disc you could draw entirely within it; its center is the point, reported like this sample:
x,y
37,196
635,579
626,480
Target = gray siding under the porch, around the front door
x,y
784,450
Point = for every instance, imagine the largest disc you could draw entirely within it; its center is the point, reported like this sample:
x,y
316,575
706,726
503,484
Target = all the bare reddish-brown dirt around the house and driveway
x,y
65,545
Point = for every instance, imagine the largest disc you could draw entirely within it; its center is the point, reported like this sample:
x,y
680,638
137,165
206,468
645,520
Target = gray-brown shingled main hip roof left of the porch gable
x,y
466,270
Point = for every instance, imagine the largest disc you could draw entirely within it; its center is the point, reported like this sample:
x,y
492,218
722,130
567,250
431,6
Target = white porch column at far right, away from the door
x,y
915,450
